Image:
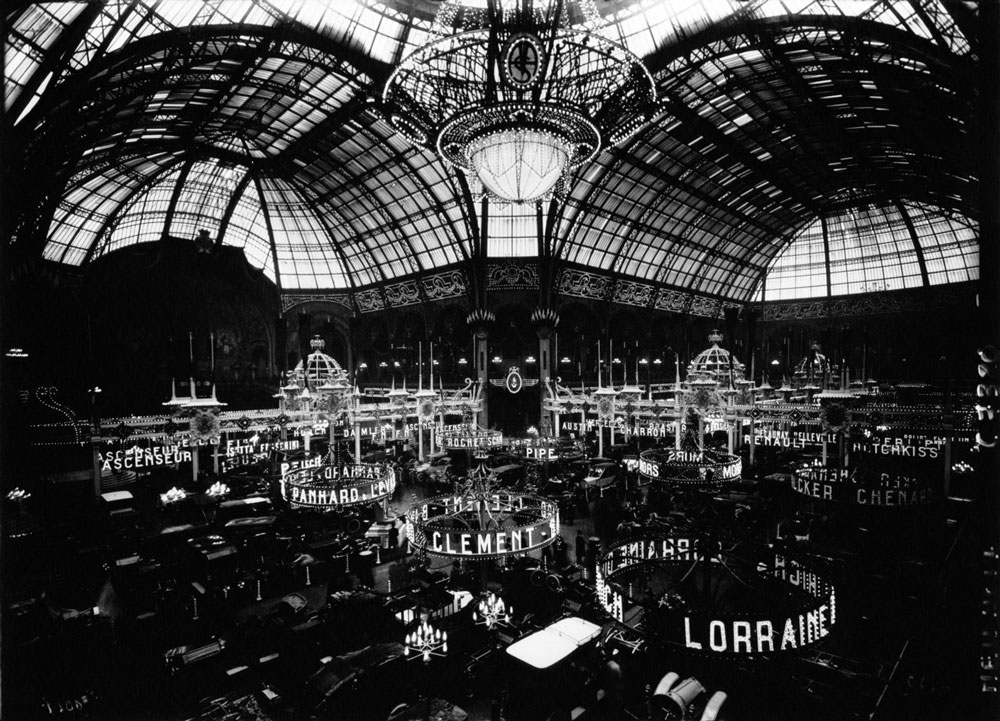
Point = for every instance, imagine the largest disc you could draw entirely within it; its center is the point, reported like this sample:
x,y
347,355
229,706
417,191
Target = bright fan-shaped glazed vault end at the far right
x,y
872,249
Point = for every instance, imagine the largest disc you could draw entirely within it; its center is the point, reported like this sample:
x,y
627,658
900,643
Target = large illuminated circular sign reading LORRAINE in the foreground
x,y
725,635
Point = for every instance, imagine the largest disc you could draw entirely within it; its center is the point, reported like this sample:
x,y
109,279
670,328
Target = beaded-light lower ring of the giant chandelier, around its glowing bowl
x,y
572,129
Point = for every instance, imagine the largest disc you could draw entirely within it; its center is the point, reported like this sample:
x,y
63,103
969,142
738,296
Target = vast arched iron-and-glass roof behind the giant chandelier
x,y
252,119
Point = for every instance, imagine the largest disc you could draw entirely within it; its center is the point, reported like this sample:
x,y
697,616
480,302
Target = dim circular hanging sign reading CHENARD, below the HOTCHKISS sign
x,y
841,485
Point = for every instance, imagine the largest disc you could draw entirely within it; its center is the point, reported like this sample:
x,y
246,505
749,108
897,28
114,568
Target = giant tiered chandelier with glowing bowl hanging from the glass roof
x,y
517,97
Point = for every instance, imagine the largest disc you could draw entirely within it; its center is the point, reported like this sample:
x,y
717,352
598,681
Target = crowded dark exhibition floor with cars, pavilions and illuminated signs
x,y
807,558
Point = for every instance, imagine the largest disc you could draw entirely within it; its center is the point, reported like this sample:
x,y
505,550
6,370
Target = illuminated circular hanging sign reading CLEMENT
x,y
449,526
